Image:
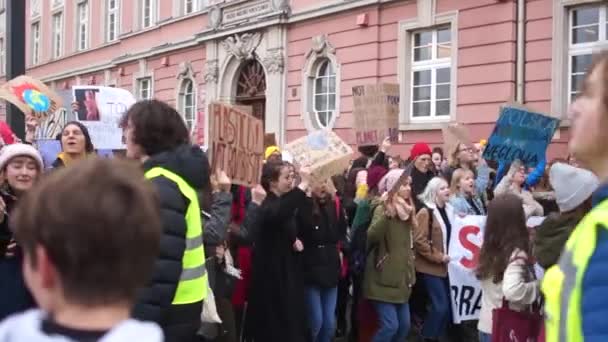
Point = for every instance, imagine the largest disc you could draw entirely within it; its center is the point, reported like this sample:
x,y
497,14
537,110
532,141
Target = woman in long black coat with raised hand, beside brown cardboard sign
x,y
275,310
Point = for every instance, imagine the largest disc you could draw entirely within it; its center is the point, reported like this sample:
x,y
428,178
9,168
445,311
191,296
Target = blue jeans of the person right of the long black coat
x,y
322,312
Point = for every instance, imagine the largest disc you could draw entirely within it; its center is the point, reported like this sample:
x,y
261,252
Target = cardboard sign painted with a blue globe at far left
x,y
31,96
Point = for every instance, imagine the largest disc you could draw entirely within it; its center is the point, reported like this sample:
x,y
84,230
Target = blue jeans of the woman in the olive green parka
x,y
394,322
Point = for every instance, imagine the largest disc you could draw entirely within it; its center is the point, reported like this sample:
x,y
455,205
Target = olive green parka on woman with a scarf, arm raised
x,y
393,282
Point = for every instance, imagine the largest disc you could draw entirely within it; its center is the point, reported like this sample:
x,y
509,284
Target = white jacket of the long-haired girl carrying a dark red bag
x,y
514,288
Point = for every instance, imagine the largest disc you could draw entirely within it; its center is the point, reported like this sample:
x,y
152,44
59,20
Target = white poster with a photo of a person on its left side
x,y
100,110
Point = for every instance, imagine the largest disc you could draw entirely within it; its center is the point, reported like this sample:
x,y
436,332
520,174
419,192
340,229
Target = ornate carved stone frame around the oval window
x,y
322,50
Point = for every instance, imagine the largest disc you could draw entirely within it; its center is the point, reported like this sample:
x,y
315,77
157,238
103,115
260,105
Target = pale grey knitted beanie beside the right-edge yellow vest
x,y
572,185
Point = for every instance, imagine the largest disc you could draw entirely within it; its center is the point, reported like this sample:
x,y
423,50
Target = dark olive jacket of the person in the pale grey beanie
x,y
551,237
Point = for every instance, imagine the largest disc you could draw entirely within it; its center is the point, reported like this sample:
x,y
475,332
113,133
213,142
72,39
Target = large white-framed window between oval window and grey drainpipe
x,y
431,73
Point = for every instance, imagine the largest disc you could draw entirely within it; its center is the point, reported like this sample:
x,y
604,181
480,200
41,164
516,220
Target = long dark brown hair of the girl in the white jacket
x,y
506,230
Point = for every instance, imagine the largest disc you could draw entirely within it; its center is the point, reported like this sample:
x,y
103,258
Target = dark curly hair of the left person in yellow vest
x,y
157,126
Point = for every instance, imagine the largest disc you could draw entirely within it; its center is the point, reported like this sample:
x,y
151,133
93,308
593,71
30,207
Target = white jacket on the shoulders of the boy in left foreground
x,y
26,327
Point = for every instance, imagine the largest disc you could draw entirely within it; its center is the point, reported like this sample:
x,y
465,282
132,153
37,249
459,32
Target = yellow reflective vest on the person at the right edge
x,y
562,284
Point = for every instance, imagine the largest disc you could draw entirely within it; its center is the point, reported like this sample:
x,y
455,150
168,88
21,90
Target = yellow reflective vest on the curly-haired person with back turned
x,y
192,286
